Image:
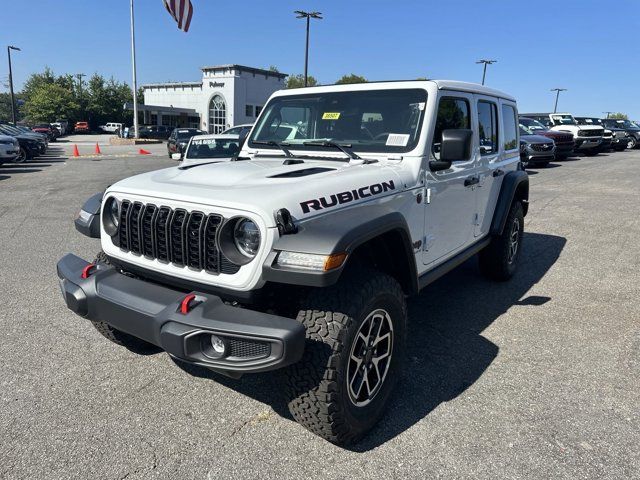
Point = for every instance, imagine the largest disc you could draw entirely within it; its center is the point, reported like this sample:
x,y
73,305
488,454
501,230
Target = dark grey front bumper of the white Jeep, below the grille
x,y
256,341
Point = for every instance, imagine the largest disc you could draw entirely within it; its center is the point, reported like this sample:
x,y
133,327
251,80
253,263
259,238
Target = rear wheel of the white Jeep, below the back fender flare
x,y
495,260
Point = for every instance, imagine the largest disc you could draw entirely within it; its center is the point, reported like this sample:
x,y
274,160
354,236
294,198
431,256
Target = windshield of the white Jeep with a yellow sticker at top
x,y
370,121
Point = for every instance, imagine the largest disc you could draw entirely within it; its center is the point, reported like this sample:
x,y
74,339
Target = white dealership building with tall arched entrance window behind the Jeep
x,y
228,95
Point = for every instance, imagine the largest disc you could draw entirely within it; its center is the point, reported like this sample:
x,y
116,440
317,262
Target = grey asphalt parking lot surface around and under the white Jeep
x,y
535,378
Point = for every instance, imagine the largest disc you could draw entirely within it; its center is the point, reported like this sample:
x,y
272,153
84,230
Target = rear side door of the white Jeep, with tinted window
x,y
488,160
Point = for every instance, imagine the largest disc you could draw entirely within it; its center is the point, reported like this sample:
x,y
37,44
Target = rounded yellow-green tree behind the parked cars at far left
x,y
49,102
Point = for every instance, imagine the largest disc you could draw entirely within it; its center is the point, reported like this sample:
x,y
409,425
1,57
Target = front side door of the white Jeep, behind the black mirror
x,y
451,195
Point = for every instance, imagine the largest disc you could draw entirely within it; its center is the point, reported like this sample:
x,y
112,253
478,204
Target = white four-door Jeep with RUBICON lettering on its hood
x,y
299,254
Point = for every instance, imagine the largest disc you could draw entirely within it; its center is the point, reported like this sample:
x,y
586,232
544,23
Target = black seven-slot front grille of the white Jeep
x,y
173,236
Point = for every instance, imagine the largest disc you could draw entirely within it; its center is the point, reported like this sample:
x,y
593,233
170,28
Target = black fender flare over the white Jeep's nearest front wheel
x,y
338,232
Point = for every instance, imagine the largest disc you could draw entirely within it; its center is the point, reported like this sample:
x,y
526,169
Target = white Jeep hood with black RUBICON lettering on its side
x,y
265,186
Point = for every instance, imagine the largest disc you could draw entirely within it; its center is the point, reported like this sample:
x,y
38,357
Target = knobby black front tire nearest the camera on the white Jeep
x,y
316,387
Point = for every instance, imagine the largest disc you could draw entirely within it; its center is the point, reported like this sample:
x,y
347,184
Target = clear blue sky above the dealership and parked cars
x,y
590,47
